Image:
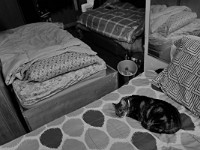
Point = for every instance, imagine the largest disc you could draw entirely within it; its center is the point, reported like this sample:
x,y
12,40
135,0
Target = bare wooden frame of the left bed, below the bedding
x,y
68,100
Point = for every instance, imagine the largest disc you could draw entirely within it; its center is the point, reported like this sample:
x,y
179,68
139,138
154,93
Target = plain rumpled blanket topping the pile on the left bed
x,y
33,42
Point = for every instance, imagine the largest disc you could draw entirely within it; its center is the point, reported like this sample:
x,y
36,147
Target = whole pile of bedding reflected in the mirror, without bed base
x,y
172,23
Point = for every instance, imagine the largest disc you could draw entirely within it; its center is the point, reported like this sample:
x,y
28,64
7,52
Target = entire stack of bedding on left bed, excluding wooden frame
x,y
41,59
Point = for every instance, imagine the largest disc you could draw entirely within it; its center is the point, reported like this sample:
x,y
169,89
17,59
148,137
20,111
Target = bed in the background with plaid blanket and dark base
x,y
115,26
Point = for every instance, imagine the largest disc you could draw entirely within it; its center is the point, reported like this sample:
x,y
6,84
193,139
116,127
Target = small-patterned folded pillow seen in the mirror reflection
x,y
176,22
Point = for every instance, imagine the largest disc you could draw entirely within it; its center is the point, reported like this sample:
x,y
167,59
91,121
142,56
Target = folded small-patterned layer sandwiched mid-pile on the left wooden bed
x,y
48,68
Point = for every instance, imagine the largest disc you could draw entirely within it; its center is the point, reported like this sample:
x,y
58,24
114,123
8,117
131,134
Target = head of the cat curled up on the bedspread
x,y
121,108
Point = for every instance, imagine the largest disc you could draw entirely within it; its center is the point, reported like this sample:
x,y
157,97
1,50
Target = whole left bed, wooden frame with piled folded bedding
x,y
42,64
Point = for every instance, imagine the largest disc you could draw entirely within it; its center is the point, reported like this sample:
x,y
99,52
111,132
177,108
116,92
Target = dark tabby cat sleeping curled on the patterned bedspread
x,y
155,115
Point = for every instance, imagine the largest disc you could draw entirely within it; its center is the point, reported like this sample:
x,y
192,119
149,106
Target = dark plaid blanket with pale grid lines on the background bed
x,y
121,21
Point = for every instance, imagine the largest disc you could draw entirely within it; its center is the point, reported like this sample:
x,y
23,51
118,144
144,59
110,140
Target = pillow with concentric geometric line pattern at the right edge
x,y
180,80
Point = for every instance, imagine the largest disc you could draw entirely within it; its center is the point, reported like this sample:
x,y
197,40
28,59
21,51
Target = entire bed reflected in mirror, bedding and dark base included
x,y
167,24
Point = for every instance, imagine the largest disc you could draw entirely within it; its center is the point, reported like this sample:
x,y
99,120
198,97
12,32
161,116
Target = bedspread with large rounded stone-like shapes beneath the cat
x,y
95,126
